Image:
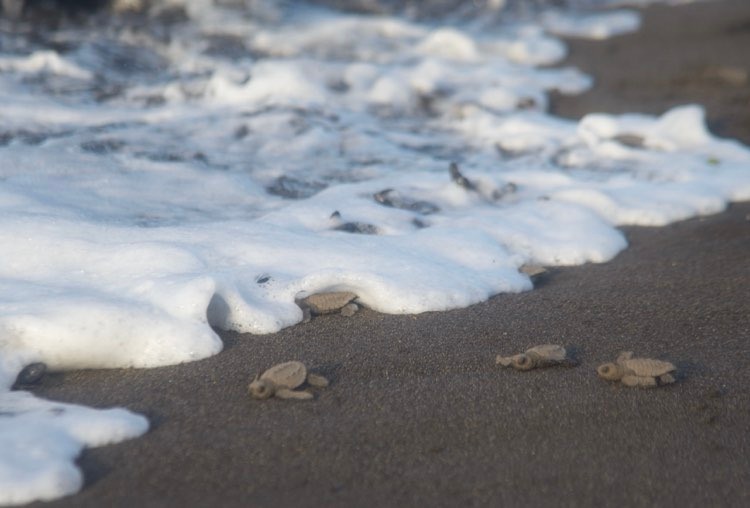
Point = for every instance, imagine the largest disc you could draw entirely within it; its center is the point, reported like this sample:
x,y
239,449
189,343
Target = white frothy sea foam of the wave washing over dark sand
x,y
153,186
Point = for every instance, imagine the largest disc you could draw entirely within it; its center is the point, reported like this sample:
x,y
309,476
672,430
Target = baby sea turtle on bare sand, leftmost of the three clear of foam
x,y
281,380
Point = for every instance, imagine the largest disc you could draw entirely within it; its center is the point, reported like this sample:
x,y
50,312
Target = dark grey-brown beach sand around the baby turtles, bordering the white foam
x,y
418,414
